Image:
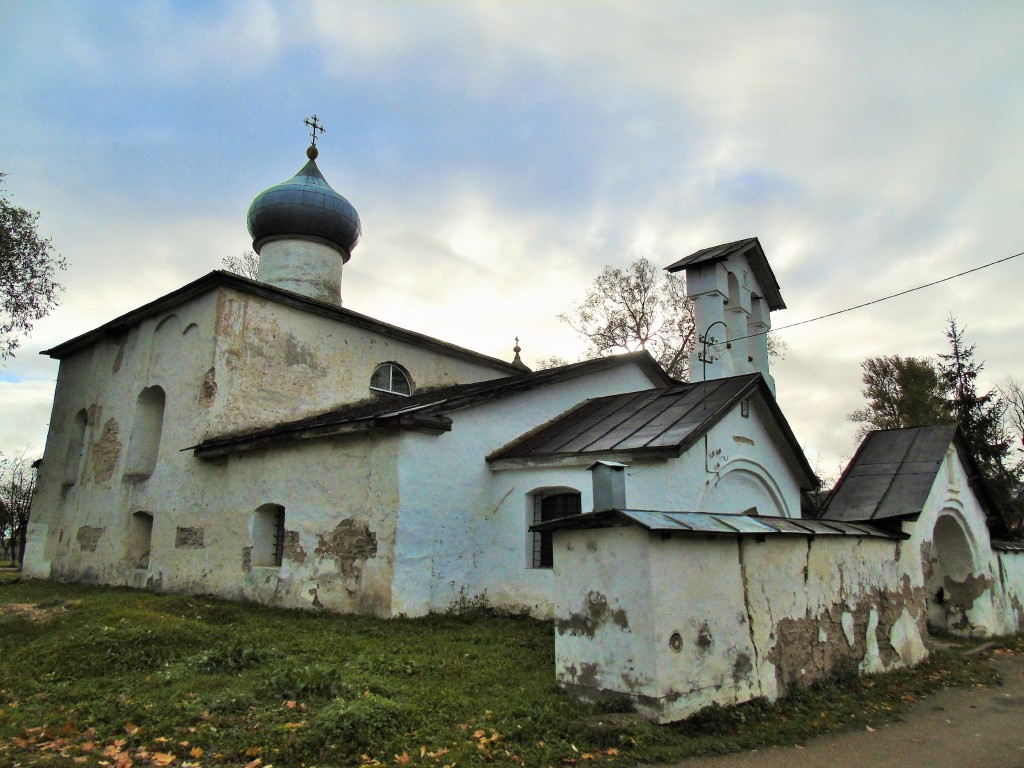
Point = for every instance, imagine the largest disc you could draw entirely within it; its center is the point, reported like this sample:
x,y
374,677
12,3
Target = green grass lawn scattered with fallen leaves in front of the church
x,y
92,676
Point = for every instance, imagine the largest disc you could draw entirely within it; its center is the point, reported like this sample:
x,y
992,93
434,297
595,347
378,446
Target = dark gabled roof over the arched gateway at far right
x,y
893,473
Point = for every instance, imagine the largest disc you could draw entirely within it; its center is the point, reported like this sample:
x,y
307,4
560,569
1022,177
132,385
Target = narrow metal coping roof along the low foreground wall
x,y
707,524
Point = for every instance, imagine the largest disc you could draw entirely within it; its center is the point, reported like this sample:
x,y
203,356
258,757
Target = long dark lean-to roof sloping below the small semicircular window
x,y
425,411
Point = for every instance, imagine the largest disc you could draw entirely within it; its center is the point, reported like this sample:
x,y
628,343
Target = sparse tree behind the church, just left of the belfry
x,y
639,308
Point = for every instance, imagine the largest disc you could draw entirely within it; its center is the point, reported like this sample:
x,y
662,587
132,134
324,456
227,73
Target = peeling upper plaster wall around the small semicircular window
x,y
276,363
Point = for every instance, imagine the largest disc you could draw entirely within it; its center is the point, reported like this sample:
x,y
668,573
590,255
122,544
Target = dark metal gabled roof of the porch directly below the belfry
x,y
664,422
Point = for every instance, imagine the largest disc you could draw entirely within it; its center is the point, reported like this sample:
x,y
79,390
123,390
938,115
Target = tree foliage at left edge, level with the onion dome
x,y
28,266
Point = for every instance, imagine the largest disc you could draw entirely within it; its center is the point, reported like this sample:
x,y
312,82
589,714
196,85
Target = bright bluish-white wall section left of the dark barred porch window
x,y
462,528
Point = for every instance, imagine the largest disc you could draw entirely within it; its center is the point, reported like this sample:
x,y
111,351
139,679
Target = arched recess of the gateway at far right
x,y
953,584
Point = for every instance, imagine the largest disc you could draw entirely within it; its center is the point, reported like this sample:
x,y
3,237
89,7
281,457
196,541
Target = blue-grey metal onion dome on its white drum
x,y
305,207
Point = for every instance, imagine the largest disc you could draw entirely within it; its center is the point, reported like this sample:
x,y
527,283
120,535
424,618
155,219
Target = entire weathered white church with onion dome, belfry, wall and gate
x,y
255,440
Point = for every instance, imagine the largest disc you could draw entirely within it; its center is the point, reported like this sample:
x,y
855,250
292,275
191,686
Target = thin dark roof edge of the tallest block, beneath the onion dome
x,y
222,279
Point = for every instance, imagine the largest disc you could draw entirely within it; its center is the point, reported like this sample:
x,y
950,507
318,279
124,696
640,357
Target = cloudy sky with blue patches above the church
x,y
501,155
